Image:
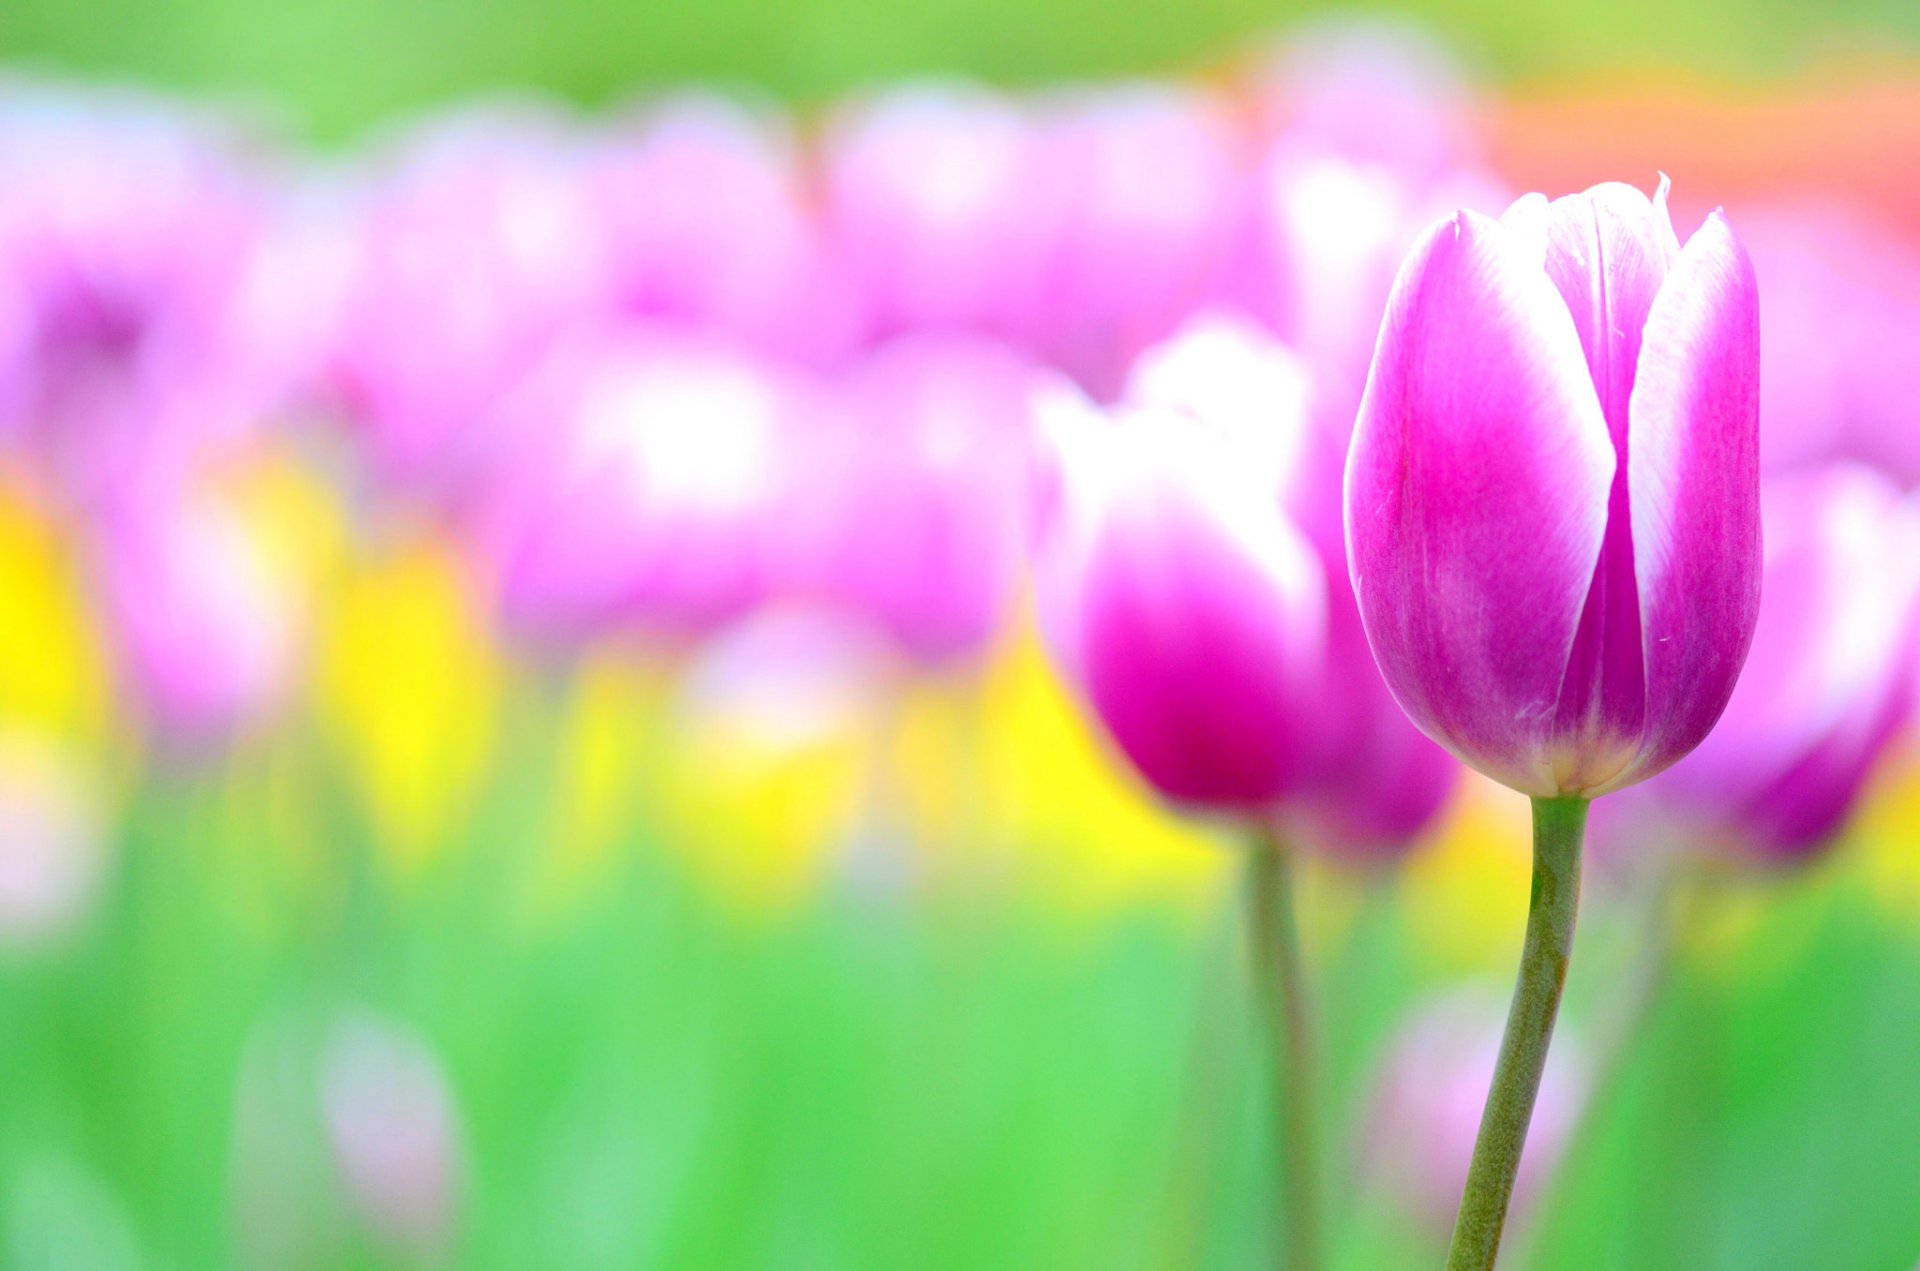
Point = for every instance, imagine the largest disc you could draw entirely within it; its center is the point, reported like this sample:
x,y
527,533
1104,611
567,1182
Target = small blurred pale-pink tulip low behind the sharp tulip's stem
x,y
1428,1107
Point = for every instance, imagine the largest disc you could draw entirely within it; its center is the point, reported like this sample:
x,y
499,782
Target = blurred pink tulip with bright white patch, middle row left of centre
x,y
640,487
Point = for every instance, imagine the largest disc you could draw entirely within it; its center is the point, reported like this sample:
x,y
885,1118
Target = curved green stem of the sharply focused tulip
x,y
1524,1051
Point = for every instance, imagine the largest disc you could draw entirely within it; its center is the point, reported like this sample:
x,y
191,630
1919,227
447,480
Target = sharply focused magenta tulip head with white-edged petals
x,y
1552,498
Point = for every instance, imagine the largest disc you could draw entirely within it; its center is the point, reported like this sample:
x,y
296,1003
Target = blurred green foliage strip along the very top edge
x,y
337,66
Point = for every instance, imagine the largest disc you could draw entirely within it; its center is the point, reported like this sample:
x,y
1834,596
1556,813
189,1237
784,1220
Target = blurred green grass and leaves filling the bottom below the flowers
x,y
882,1080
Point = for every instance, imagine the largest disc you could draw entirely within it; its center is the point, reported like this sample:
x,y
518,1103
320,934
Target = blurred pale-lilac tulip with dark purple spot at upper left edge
x,y
133,256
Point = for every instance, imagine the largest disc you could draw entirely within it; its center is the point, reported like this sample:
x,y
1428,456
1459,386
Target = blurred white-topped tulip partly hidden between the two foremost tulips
x,y
1376,780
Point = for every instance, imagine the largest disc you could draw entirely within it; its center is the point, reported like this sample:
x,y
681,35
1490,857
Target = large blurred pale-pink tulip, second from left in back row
x,y
477,252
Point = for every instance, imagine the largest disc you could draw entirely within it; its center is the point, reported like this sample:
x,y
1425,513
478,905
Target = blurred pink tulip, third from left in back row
x,y
708,228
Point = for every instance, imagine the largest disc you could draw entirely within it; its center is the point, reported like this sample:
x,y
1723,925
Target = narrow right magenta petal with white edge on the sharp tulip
x,y
1694,483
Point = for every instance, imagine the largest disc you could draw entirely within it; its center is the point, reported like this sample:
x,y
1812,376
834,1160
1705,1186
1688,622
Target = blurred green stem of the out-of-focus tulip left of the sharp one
x,y
1280,1003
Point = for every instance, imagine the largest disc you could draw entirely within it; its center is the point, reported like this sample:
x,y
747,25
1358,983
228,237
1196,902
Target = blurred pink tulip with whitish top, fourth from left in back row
x,y
928,197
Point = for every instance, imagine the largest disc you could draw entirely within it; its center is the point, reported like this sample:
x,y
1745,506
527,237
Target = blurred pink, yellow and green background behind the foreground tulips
x,y
418,853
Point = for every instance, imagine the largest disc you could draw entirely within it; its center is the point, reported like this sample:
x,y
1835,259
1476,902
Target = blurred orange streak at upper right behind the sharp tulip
x,y
1848,133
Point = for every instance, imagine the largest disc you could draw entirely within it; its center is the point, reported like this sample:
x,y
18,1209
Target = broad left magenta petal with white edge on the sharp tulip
x,y
1477,498
